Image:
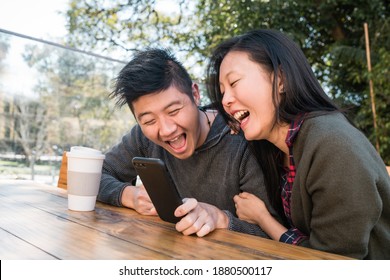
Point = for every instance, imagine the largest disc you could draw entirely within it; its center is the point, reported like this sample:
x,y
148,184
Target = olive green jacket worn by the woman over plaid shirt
x,y
341,192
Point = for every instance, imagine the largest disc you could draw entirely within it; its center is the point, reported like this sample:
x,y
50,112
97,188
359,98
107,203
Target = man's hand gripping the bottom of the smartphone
x,y
200,218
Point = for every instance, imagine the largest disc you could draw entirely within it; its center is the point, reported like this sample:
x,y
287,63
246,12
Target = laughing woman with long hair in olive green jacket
x,y
321,172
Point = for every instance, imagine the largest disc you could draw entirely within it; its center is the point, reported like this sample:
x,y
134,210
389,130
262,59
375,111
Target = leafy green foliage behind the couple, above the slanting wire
x,y
330,33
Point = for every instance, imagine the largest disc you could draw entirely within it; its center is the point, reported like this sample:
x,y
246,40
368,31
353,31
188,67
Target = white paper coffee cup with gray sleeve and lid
x,y
83,177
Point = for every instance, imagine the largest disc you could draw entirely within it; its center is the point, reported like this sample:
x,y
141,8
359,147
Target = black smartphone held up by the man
x,y
159,186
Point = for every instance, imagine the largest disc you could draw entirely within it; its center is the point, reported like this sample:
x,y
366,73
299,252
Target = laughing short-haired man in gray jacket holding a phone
x,y
207,163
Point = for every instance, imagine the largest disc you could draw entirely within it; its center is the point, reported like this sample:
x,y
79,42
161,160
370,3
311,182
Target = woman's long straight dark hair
x,y
303,94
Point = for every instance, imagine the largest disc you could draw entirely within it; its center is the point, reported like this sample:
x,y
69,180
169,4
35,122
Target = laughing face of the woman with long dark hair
x,y
247,95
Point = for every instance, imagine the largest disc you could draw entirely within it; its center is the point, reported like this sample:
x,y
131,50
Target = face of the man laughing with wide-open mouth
x,y
171,120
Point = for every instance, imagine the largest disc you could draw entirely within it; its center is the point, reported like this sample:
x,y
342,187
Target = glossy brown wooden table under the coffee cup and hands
x,y
35,223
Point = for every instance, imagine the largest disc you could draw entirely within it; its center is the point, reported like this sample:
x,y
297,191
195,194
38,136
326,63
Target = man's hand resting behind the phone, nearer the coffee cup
x,y
138,199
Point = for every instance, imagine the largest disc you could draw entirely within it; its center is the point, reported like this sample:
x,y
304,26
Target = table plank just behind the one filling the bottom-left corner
x,y
63,238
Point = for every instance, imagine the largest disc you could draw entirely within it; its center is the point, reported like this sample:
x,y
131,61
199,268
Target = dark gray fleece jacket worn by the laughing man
x,y
219,169
